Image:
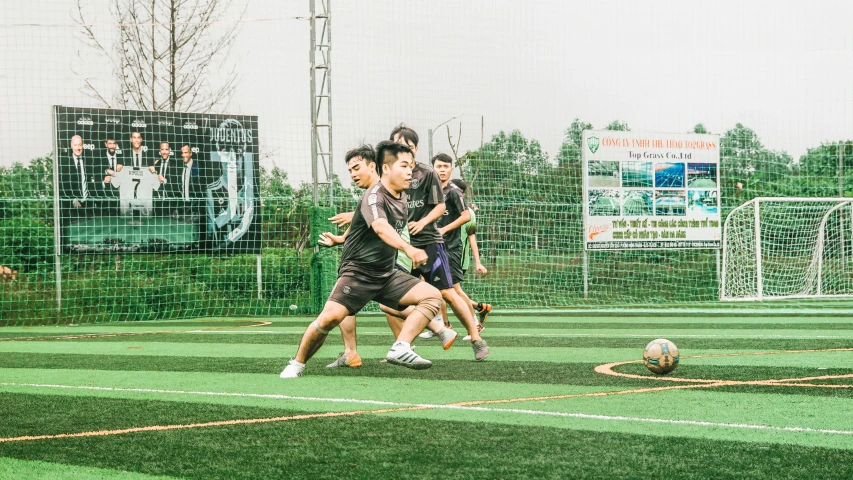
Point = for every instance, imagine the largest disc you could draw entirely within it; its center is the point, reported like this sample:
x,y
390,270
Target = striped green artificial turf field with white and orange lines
x,y
753,397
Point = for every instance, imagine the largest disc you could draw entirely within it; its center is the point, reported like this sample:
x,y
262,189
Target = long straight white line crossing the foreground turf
x,y
586,416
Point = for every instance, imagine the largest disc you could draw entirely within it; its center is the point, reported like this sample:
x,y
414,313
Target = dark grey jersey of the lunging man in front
x,y
364,251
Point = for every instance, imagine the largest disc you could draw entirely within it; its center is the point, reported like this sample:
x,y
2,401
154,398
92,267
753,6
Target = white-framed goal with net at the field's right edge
x,y
780,248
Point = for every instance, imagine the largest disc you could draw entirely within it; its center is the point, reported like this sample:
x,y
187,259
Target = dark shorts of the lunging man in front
x,y
354,289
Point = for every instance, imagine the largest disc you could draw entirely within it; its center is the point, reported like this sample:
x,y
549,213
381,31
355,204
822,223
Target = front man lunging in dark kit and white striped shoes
x,y
367,266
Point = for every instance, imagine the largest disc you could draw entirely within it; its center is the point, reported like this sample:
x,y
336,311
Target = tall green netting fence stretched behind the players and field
x,y
505,88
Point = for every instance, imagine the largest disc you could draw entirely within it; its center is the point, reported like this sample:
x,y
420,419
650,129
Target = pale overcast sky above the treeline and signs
x,y
784,69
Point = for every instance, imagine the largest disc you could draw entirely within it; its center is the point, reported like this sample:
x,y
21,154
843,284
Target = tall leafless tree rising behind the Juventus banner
x,y
167,55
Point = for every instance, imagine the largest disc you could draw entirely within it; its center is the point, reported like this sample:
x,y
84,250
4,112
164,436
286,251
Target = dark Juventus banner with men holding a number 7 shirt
x,y
134,181
